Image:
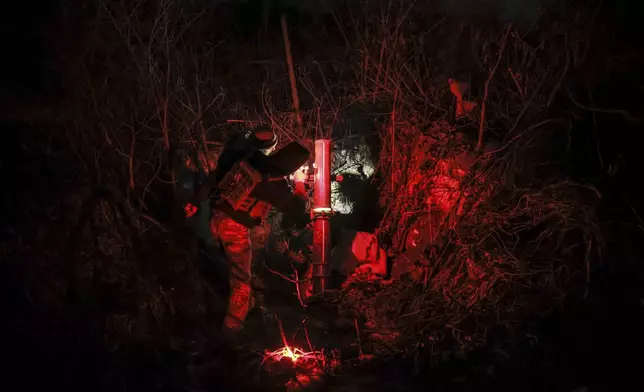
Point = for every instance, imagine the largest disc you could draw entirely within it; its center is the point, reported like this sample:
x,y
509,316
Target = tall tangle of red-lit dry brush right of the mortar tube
x,y
516,241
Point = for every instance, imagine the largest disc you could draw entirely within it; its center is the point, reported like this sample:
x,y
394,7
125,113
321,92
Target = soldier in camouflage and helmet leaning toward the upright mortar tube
x,y
244,184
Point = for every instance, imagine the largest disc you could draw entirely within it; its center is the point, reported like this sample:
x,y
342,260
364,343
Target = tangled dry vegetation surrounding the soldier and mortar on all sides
x,y
146,80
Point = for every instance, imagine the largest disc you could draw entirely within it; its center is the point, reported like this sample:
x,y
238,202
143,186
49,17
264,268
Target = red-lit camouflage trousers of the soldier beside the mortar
x,y
240,244
